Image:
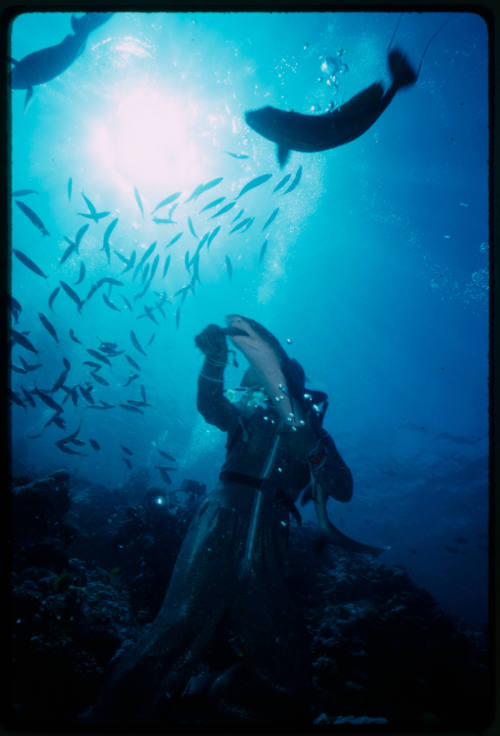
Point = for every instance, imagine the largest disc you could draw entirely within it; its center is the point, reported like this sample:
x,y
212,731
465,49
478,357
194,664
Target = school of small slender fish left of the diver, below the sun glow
x,y
141,276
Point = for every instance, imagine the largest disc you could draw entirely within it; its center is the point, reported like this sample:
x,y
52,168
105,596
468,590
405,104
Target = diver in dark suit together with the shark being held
x,y
229,629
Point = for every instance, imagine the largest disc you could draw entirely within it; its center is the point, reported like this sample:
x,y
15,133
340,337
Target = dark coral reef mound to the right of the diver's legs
x,y
382,648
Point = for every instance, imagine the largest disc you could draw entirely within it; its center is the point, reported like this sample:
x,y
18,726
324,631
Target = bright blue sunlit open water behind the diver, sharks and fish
x,y
376,267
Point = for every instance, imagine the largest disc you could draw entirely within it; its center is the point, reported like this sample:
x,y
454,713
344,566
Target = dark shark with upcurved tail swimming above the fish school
x,y
294,131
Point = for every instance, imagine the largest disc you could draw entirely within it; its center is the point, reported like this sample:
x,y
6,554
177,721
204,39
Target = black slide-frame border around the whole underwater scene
x,y
489,10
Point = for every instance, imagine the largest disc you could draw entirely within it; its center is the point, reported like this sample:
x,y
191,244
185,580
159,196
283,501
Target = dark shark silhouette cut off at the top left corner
x,y
46,64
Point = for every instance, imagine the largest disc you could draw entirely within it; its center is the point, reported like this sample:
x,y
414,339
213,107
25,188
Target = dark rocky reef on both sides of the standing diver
x,y
91,566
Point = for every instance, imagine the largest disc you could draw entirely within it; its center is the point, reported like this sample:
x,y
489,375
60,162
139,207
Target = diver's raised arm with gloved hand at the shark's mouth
x,y
211,402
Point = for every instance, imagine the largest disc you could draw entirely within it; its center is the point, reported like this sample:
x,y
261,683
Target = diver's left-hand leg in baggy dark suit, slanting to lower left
x,y
167,654
